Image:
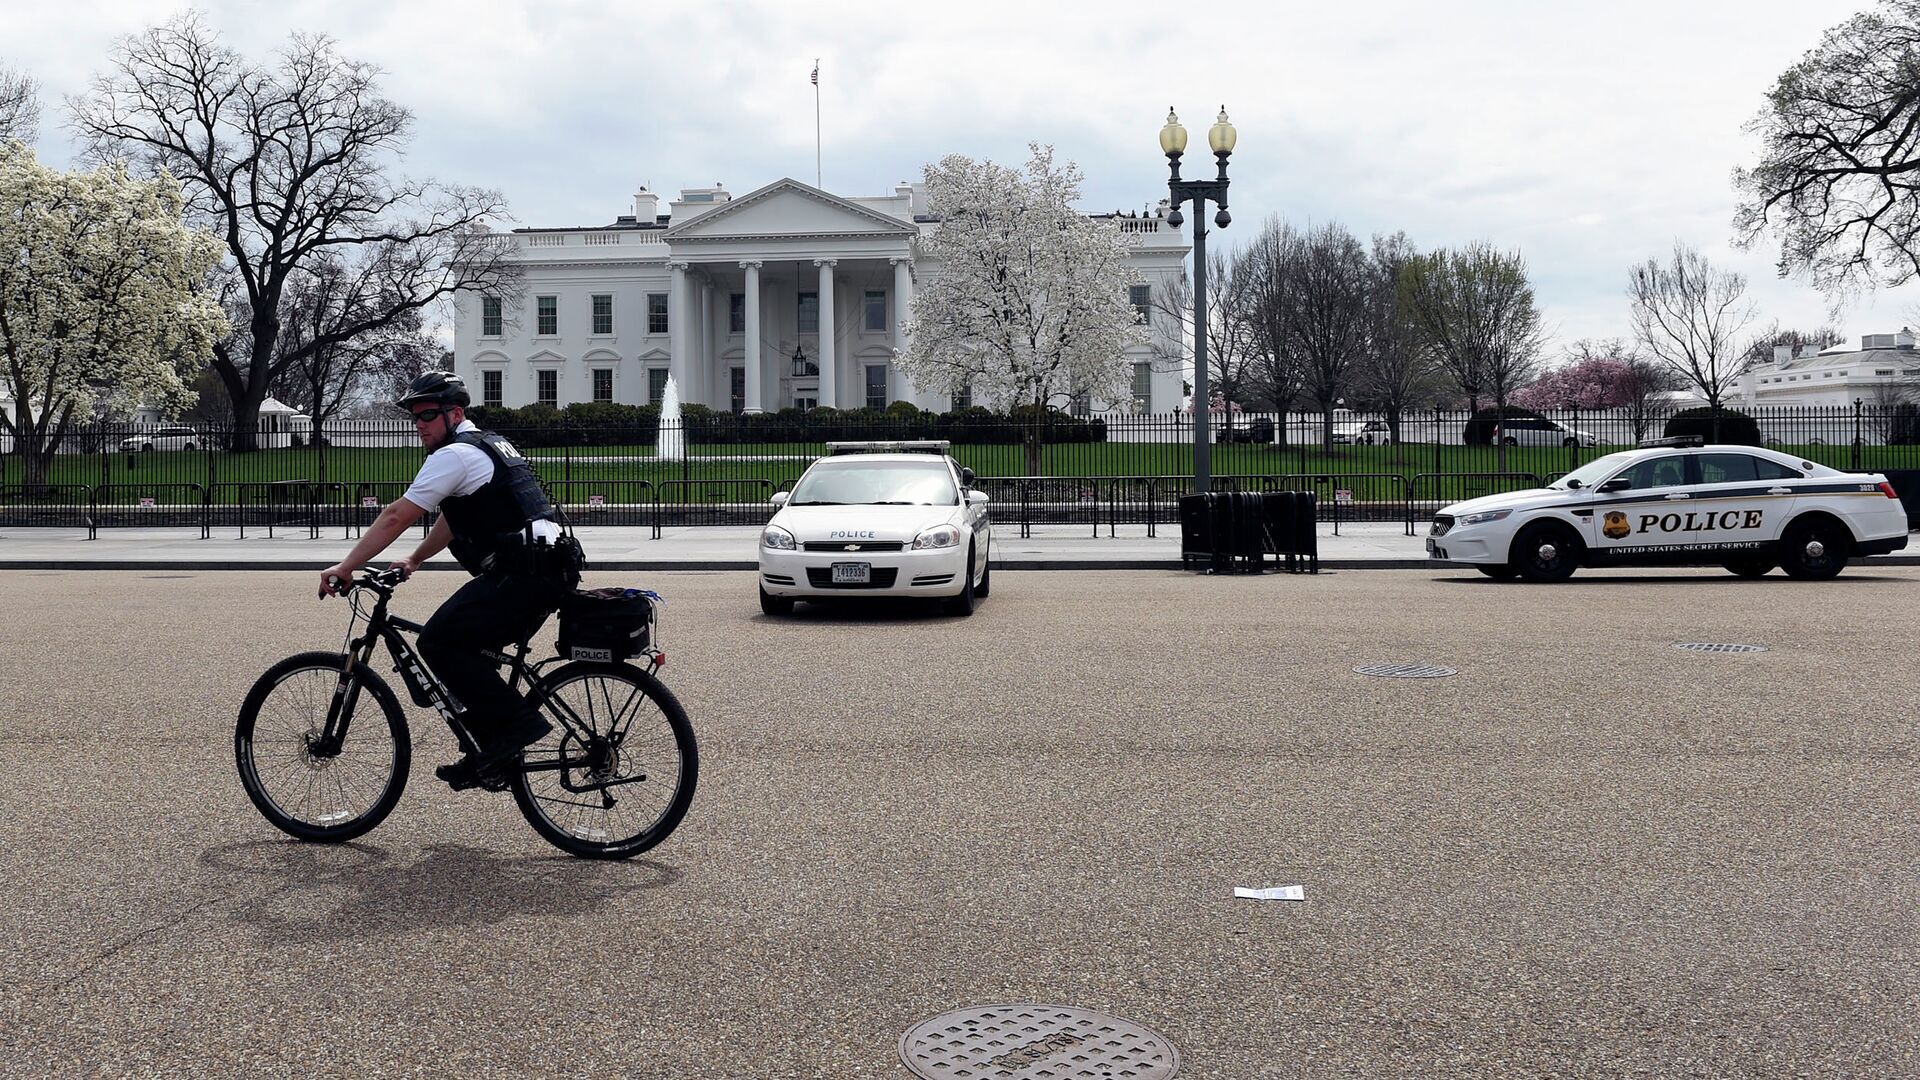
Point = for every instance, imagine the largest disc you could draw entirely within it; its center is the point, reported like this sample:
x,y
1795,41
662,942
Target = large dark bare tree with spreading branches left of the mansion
x,y
291,164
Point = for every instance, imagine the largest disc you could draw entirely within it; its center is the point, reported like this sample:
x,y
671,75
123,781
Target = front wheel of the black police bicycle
x,y
300,783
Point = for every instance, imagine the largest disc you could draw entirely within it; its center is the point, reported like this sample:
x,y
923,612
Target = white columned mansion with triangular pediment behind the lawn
x,y
784,297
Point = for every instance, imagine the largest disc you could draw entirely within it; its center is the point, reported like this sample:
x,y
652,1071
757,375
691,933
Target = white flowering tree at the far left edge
x,y
103,297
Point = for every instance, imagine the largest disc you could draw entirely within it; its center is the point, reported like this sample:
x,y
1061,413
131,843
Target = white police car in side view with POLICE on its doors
x,y
1677,503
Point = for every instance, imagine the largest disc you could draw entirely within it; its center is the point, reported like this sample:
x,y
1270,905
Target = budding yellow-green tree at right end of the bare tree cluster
x,y
1476,310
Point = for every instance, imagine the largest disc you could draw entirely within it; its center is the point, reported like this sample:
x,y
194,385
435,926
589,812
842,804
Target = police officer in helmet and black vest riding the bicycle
x,y
502,528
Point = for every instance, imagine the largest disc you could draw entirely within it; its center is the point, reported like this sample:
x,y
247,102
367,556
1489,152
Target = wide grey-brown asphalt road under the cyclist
x,y
1589,854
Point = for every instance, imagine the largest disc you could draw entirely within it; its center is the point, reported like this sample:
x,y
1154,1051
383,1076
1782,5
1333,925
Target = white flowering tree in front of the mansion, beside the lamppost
x,y
1026,301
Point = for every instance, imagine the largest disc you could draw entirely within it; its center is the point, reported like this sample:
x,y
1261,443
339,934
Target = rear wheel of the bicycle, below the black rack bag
x,y
617,772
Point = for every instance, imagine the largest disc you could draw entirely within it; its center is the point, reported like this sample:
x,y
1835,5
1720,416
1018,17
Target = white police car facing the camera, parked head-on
x,y
878,520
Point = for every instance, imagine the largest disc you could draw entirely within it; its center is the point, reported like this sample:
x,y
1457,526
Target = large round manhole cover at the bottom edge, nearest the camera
x,y
1034,1043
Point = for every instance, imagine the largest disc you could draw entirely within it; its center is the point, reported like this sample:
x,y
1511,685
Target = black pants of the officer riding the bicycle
x,y
487,614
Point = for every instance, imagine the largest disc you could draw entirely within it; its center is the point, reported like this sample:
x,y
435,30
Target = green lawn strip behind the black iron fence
x,y
610,464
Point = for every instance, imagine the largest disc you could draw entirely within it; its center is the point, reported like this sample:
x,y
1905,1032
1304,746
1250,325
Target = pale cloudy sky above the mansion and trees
x,y
1587,135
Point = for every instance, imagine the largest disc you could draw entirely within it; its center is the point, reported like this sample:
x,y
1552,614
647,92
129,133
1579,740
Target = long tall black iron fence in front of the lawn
x,y
719,470
